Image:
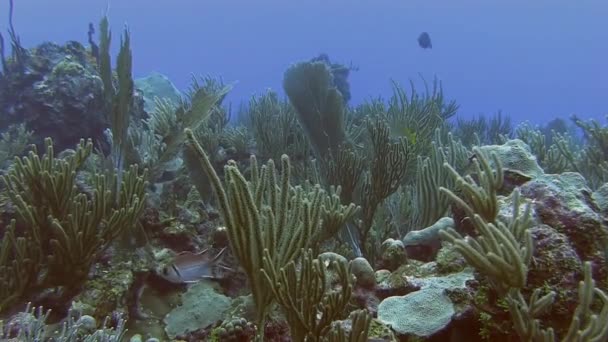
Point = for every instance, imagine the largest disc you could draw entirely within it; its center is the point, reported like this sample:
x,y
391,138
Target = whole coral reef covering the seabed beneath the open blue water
x,y
132,211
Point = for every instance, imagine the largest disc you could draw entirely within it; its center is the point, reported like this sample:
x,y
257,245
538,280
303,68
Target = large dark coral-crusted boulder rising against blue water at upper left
x,y
58,93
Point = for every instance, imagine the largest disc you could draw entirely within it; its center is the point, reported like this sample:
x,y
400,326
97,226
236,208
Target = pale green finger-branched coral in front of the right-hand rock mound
x,y
502,250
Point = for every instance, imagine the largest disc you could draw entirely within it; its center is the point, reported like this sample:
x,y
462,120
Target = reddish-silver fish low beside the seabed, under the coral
x,y
189,268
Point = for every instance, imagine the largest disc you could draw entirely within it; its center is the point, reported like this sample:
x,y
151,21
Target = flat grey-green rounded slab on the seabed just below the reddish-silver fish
x,y
201,306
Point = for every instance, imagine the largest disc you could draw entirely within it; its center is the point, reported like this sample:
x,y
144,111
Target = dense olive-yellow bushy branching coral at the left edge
x,y
65,229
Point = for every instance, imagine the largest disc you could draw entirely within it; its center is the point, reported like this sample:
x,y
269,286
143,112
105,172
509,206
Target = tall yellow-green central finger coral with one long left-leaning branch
x,y
265,217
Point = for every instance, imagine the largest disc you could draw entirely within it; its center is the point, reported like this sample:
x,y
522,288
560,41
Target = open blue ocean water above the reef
x,y
534,60
